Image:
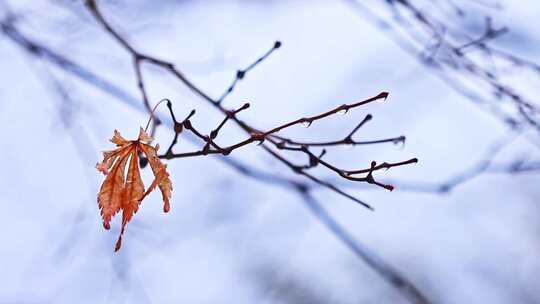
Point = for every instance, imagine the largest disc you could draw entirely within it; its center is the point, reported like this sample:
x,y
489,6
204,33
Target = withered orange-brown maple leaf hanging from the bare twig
x,y
126,192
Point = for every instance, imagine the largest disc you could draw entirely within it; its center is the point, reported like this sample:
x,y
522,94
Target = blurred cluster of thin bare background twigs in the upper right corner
x,y
466,63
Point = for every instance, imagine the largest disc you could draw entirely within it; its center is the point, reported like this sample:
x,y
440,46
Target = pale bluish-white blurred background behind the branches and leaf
x,y
230,238
